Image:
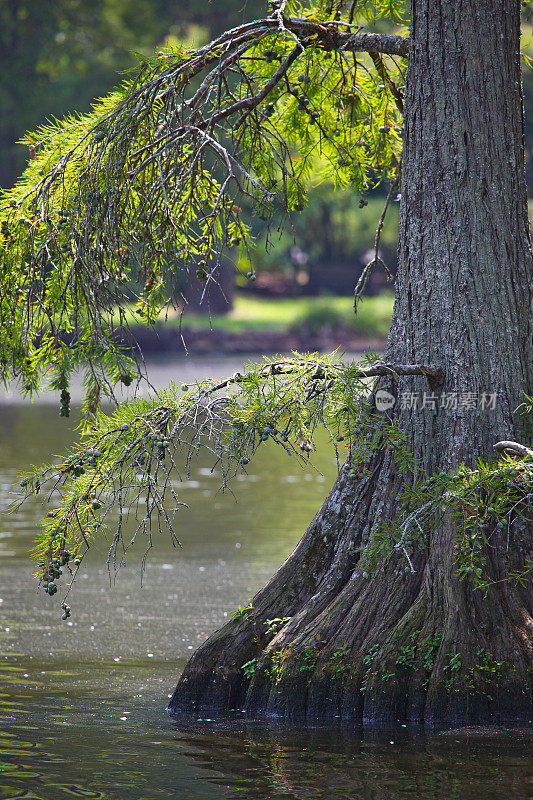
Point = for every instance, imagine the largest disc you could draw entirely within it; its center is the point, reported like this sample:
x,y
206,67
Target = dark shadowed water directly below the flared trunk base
x,y
265,761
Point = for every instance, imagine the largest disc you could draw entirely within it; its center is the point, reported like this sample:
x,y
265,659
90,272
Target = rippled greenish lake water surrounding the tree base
x,y
83,701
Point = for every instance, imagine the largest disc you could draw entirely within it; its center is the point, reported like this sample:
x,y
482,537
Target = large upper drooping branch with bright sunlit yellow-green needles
x,y
116,204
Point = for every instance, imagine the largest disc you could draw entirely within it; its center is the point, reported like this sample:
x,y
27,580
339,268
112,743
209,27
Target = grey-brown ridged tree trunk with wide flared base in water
x,y
397,645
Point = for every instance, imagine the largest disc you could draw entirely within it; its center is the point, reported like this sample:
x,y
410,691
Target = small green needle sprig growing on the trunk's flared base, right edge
x,y
487,505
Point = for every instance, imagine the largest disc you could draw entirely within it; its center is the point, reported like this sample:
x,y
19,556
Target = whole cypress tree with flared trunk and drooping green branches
x,y
410,594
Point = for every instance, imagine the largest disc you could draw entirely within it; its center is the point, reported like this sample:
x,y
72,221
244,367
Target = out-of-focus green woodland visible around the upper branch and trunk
x,y
58,55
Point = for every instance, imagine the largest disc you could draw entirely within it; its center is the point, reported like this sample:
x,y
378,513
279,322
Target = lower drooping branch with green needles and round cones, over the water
x,y
132,461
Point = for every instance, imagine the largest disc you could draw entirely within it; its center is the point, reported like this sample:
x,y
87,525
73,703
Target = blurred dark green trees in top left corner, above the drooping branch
x,y
57,56
